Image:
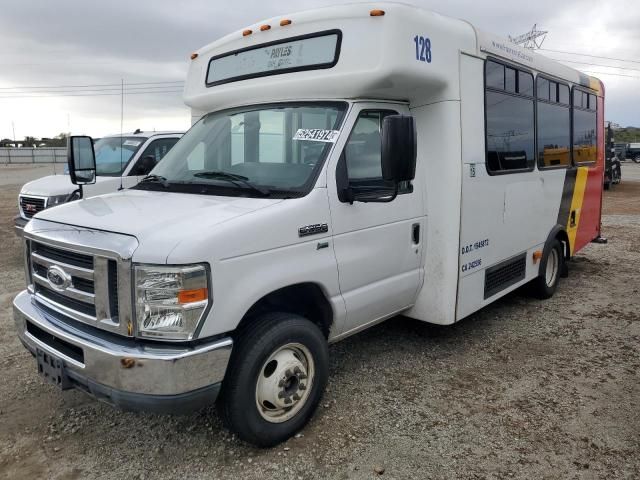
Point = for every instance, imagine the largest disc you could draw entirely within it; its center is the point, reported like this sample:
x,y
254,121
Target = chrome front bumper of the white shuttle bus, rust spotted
x,y
130,374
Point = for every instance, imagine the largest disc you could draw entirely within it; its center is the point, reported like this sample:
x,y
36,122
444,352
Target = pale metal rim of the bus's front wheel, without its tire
x,y
284,382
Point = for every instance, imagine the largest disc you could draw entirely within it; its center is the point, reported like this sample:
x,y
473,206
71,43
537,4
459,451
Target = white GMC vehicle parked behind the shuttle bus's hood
x,y
120,160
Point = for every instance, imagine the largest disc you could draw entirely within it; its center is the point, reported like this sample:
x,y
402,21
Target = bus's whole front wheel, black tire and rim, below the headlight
x,y
275,379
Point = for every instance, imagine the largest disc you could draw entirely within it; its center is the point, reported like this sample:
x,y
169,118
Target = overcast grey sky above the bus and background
x,y
74,43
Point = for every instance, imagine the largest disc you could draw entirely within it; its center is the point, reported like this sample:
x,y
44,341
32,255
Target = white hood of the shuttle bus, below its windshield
x,y
159,220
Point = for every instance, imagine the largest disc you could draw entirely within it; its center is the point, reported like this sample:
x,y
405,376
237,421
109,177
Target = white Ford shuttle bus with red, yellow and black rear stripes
x,y
345,165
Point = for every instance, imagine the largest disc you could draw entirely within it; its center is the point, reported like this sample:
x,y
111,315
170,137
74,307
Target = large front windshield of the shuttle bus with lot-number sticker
x,y
252,151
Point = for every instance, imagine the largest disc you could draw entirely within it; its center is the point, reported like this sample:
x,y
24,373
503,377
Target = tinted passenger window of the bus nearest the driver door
x,y
509,122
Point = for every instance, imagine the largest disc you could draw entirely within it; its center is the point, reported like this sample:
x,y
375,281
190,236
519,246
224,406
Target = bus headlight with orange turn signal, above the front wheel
x,y
170,301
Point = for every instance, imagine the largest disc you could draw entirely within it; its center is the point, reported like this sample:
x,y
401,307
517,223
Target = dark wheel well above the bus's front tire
x,y
304,299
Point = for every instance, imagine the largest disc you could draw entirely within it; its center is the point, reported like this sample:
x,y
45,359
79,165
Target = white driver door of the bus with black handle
x,y
378,246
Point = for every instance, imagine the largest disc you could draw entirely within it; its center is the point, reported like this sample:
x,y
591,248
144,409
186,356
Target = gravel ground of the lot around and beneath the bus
x,y
522,389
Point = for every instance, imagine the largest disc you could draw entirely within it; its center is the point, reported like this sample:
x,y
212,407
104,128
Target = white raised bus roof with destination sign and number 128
x,y
377,57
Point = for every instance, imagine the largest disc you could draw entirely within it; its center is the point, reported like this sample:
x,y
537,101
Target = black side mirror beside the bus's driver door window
x,y
398,148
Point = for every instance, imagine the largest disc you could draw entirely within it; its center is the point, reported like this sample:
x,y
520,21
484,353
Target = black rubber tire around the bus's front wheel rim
x,y
253,345
